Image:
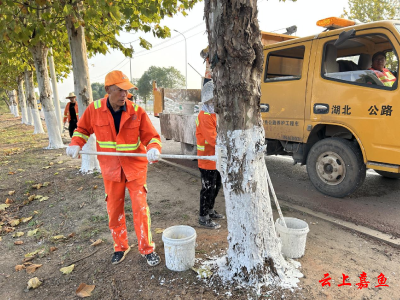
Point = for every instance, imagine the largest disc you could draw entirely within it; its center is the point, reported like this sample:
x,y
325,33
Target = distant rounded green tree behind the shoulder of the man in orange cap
x,y
166,77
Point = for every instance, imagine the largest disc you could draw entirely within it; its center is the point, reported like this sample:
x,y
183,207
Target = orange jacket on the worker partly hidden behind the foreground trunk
x,y
206,136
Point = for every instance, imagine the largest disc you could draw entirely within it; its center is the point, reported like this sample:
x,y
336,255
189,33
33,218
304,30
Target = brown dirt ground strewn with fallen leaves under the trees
x,y
75,209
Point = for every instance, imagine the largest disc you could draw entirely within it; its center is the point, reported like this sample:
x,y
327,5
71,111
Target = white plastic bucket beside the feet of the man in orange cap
x,y
179,247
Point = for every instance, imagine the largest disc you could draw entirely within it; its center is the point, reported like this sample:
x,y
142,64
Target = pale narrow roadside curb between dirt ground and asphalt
x,y
372,233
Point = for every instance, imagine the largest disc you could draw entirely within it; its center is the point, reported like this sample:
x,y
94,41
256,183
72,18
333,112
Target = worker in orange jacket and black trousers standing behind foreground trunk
x,y
206,136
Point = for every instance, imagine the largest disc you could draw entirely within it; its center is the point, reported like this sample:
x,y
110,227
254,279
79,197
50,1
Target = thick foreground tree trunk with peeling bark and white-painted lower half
x,y
254,253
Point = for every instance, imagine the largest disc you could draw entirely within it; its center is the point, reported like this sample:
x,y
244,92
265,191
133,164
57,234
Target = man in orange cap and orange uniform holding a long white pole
x,y
122,126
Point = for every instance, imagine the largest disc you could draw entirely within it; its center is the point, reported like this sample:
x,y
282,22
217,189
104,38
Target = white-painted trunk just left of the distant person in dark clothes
x,y
39,53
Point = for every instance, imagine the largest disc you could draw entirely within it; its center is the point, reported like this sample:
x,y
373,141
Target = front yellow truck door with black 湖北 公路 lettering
x,y
346,94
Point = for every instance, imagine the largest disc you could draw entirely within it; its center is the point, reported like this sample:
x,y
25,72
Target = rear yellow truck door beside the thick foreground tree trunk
x,y
283,91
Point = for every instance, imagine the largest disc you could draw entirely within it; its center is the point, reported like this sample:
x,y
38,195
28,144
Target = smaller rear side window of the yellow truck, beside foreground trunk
x,y
286,64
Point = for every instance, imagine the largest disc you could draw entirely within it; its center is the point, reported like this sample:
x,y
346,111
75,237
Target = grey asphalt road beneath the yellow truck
x,y
375,205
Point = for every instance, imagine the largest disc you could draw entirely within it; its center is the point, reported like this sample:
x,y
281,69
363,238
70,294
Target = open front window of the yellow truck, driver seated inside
x,y
351,62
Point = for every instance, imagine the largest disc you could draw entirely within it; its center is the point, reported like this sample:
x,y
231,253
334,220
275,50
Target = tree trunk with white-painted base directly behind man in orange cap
x,y
83,89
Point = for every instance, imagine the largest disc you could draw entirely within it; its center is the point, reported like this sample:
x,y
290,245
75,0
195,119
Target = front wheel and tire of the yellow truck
x,y
335,167
